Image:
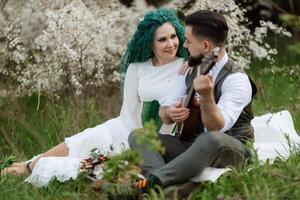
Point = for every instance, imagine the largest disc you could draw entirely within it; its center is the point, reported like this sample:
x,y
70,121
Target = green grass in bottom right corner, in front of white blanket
x,y
269,182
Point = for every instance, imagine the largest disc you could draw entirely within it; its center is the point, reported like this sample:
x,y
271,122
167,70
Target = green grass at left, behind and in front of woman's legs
x,y
26,131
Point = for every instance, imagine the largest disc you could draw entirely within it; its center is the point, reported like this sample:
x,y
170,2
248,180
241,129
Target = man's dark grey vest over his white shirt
x,y
242,129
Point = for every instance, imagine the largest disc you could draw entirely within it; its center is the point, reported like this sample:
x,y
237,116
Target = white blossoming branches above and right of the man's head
x,y
242,44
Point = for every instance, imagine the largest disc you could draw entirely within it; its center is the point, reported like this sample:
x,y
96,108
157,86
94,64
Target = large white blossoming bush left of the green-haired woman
x,y
71,53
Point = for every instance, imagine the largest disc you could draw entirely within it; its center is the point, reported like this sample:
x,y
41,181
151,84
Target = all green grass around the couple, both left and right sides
x,y
26,131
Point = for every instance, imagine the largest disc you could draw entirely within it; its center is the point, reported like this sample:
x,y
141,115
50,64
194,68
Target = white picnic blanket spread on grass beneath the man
x,y
273,132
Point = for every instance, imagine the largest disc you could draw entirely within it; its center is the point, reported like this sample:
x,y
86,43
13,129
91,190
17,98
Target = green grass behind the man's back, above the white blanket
x,y
277,91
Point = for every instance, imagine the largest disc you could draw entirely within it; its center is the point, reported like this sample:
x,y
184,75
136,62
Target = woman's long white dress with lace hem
x,y
143,83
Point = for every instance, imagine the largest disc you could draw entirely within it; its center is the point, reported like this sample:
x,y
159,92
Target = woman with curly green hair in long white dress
x,y
149,69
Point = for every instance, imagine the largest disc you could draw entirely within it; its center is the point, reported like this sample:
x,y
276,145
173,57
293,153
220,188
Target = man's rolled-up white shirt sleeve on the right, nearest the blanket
x,y
236,94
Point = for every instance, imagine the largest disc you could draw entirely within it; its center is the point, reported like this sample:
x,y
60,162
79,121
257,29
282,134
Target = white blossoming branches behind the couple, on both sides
x,y
51,47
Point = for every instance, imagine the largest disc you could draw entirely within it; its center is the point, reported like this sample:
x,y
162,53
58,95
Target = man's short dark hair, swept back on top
x,y
209,24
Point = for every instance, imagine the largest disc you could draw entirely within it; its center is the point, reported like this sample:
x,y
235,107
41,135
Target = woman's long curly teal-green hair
x,y
139,48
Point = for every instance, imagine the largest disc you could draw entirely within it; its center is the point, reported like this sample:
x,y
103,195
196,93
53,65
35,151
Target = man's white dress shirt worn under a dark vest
x,y
236,93
